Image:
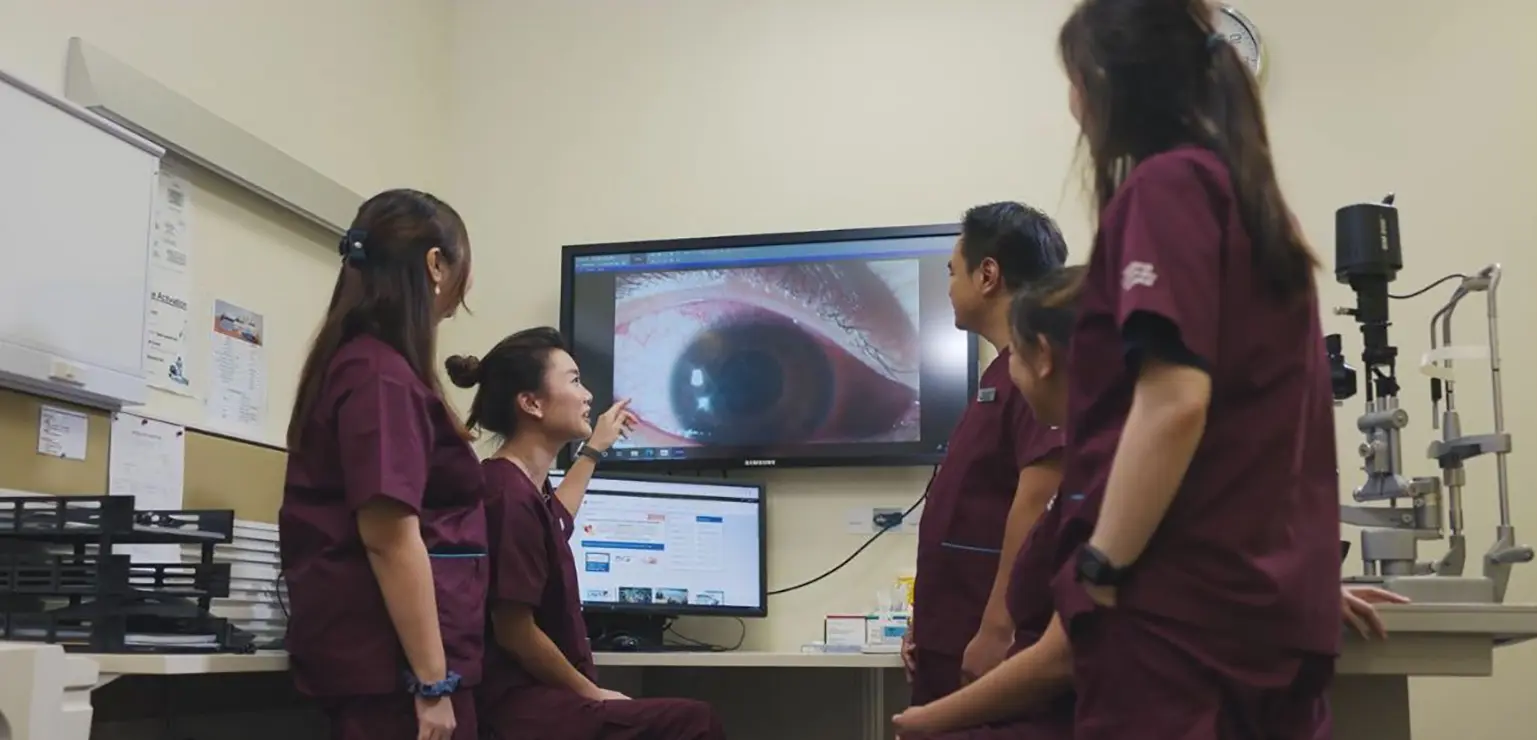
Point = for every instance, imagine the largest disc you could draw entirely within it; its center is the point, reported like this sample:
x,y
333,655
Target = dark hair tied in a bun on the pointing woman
x,y
513,368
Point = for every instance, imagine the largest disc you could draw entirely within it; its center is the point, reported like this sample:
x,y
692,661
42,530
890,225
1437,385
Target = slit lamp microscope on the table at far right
x,y
1399,513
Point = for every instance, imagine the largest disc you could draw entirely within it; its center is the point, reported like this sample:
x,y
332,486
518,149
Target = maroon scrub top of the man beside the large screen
x,y
961,536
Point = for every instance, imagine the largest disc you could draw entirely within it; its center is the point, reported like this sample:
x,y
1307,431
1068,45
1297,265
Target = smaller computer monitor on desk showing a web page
x,y
654,548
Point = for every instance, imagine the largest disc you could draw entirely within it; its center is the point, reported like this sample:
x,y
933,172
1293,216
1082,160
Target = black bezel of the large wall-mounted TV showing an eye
x,y
571,253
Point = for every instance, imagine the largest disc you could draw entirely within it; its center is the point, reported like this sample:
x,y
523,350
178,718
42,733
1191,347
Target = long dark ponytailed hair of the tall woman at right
x,y
1152,76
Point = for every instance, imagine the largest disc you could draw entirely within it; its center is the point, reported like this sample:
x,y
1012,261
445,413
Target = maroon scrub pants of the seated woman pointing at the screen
x,y
545,713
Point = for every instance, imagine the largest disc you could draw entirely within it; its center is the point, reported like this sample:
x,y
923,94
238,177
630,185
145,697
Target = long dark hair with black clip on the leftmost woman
x,y
383,290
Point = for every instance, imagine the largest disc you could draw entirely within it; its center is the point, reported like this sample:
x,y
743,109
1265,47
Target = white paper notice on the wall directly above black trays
x,y
147,459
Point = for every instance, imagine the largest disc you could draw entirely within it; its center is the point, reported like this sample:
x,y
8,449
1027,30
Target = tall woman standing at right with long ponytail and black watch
x,y
1206,601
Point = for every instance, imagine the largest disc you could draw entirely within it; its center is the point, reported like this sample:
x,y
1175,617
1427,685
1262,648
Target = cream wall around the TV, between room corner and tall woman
x,y
585,122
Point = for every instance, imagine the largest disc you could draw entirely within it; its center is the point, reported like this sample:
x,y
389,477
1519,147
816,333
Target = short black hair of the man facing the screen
x,y
1026,244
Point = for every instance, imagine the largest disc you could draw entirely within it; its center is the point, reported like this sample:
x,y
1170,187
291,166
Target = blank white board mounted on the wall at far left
x,y
76,202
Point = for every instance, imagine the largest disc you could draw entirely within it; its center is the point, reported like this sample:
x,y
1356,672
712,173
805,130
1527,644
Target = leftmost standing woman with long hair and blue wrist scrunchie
x,y
382,522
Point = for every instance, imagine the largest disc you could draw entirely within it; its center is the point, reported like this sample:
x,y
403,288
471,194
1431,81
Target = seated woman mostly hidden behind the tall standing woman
x,y
1031,695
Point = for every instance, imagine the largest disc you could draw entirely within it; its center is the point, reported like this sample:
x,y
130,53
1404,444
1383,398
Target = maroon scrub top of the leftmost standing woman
x,y
377,432
